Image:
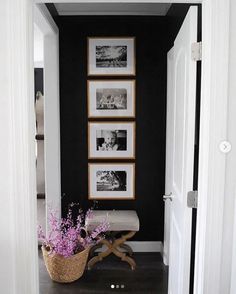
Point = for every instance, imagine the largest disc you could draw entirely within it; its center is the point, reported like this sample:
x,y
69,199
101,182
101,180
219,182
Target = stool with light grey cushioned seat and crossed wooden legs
x,y
119,221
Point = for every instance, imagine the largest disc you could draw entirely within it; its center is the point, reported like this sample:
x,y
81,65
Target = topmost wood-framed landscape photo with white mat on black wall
x,y
111,56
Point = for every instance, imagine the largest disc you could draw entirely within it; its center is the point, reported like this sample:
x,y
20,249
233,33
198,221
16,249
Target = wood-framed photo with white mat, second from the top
x,y
111,98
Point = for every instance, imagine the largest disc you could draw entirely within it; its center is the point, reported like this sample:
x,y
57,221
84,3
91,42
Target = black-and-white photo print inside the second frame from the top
x,y
108,99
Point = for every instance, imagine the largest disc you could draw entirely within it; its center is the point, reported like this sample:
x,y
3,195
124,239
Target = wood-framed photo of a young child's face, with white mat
x,y
111,140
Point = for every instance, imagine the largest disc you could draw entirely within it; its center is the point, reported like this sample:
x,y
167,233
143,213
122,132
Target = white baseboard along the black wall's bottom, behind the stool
x,y
141,246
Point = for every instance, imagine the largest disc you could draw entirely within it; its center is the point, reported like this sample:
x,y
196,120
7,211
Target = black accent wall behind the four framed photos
x,y
151,47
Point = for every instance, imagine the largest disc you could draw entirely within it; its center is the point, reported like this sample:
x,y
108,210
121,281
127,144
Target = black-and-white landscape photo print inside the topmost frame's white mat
x,y
111,56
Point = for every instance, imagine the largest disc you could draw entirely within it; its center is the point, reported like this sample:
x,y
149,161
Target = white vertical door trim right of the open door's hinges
x,y
213,130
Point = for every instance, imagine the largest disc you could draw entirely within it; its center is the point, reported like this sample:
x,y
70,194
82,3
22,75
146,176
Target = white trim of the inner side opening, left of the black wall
x,y
49,29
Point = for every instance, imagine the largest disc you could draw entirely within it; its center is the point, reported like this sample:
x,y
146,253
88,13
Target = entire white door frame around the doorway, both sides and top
x,y
17,27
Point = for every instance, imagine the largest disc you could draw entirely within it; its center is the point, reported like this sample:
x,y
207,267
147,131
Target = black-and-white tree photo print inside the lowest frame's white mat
x,y
111,180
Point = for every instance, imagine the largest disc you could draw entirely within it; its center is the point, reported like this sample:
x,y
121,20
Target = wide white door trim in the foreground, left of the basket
x,y
19,260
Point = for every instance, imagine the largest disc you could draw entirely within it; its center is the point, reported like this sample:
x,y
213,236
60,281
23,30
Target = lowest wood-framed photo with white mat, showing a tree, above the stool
x,y
111,181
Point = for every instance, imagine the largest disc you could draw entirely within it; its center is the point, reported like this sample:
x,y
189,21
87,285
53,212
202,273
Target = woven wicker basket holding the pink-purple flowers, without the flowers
x,y
65,269
